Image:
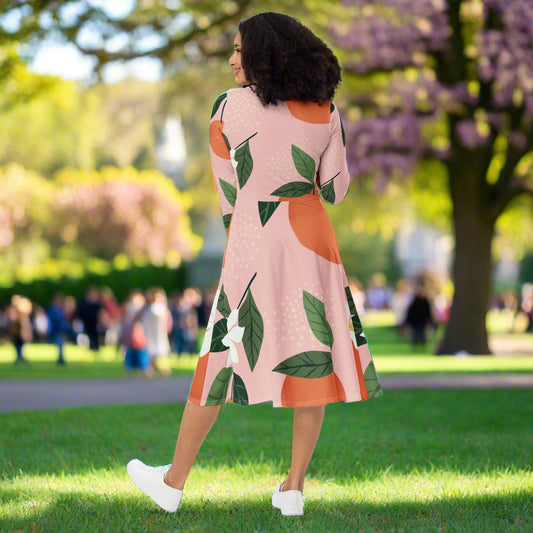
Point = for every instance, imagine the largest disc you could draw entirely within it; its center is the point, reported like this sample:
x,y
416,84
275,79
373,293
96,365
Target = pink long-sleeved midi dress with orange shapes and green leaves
x,y
283,327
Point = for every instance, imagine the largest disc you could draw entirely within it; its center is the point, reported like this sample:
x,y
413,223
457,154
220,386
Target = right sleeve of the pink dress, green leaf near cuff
x,y
334,178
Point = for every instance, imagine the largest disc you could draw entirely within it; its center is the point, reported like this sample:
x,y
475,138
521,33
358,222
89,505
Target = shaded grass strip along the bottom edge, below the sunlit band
x,y
76,511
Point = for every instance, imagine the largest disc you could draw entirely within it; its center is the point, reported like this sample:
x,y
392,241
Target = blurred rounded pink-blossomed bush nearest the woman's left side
x,y
125,211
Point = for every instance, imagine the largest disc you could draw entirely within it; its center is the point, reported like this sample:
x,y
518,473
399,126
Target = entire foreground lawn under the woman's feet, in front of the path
x,y
410,461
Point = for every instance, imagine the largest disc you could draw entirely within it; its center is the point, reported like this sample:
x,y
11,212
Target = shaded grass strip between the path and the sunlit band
x,y
465,431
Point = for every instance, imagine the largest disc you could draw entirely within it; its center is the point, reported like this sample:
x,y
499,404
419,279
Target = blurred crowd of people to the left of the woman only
x,y
144,329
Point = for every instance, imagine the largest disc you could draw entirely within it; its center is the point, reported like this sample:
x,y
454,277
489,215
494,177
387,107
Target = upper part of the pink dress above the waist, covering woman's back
x,y
276,150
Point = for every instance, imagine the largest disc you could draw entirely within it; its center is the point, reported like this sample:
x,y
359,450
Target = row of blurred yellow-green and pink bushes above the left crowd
x,y
52,229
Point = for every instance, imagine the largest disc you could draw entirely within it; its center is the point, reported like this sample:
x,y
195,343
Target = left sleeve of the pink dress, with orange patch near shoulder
x,y
224,174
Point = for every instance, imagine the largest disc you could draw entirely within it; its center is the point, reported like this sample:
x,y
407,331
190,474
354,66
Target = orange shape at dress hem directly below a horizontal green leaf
x,y
305,391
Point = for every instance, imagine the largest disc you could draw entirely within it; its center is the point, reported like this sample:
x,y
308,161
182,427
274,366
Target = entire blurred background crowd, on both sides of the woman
x,y
149,325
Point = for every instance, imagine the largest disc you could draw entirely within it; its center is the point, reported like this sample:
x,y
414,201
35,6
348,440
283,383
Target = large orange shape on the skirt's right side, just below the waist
x,y
312,226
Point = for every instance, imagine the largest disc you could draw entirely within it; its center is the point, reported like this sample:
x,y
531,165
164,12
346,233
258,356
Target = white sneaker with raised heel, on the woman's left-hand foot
x,y
151,480
